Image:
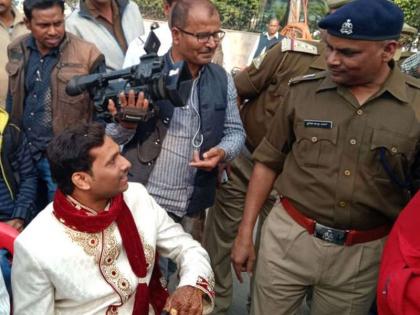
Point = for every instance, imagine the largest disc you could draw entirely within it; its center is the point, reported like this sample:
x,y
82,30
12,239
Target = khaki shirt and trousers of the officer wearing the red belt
x,y
343,165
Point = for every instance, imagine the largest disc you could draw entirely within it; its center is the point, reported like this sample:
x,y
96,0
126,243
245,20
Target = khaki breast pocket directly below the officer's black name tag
x,y
315,147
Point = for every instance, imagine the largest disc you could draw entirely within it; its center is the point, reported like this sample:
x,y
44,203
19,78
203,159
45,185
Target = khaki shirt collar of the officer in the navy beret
x,y
394,84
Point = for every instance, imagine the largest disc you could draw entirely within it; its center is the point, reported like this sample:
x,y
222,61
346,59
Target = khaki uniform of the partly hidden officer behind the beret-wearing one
x,y
265,84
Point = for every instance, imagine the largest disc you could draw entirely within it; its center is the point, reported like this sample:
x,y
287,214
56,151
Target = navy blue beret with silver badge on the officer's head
x,y
365,20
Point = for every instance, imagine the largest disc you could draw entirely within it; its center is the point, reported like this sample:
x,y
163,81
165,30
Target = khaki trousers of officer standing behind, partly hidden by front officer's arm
x,y
222,225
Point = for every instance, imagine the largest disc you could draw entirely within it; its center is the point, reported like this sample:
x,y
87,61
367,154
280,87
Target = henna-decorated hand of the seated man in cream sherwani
x,y
186,300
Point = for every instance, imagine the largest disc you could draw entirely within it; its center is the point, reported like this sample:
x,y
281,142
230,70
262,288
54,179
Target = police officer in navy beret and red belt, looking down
x,y
342,152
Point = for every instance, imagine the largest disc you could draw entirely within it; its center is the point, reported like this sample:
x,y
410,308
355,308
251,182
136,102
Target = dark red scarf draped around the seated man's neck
x,y
153,293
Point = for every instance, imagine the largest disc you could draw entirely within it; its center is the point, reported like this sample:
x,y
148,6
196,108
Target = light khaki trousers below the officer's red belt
x,y
290,261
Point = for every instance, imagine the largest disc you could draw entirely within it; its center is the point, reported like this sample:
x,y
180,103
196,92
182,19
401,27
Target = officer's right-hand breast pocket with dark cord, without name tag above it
x,y
390,152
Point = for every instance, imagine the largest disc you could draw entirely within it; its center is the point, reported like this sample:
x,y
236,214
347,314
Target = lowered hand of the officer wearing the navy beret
x,y
242,255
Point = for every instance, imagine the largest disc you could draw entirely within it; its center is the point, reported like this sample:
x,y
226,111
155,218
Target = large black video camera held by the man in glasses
x,y
148,77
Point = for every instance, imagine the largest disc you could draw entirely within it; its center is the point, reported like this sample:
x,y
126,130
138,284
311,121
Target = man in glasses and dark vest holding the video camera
x,y
176,154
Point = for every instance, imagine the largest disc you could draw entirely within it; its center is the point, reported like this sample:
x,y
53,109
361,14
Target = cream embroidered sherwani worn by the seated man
x,y
57,270
